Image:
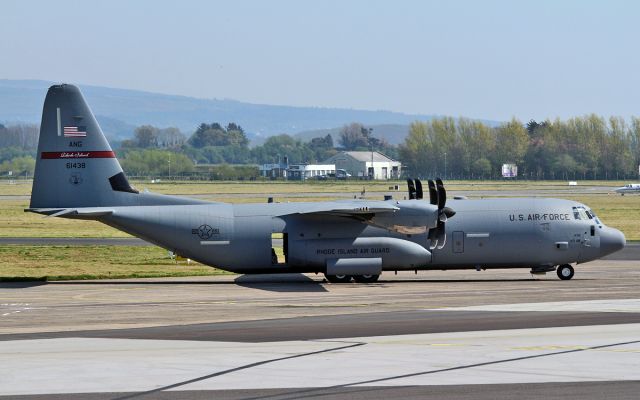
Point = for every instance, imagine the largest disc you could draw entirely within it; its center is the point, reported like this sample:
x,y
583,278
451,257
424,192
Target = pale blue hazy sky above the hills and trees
x,y
480,59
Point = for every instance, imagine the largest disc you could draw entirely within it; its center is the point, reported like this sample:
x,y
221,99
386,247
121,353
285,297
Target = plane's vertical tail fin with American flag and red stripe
x,y
75,166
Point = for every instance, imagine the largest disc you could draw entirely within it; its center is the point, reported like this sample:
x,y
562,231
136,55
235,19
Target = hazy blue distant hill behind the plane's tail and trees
x,y
120,110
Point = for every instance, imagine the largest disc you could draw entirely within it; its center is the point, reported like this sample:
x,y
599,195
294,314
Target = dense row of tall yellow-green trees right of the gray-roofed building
x,y
588,147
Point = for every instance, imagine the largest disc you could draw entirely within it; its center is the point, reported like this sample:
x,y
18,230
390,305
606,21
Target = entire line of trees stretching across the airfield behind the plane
x,y
587,147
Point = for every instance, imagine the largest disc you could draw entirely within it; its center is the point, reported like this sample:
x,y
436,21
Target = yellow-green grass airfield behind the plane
x,y
85,262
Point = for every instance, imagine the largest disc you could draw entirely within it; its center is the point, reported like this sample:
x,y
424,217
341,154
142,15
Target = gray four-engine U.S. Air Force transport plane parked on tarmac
x,y
78,176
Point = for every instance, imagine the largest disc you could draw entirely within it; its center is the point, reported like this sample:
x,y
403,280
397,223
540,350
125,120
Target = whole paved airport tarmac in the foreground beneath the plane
x,y
437,334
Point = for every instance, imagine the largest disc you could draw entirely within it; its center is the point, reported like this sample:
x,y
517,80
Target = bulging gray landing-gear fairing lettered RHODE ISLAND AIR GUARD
x,y
396,254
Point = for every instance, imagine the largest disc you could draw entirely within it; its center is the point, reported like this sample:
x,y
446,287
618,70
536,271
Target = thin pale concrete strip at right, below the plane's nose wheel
x,y
614,305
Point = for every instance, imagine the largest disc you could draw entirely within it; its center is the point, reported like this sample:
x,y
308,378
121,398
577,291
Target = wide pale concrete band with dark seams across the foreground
x,y
83,365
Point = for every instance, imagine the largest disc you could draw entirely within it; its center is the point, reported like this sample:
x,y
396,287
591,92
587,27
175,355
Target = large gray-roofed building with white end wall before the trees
x,y
366,164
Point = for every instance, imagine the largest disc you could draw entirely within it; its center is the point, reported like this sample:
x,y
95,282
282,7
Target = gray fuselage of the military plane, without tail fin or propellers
x,y
496,233
